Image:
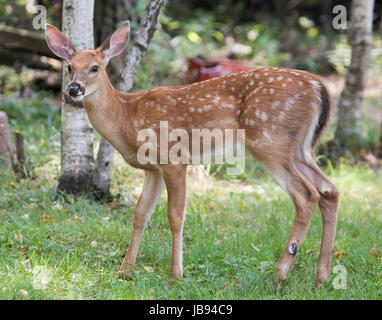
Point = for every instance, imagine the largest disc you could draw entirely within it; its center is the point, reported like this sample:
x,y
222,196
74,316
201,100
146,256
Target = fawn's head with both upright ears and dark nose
x,y
86,67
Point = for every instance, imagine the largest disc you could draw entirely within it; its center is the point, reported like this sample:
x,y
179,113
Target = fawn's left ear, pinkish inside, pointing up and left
x,y
58,43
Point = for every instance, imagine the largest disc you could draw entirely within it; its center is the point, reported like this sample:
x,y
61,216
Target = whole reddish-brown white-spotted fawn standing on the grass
x,y
282,111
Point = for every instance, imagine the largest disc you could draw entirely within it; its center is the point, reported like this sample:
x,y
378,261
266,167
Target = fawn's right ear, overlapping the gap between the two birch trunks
x,y
117,42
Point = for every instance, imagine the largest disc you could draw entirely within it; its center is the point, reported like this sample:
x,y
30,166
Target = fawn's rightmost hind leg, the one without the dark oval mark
x,y
329,197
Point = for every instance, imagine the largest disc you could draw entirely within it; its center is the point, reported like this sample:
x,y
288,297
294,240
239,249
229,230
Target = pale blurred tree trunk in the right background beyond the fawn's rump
x,y
348,132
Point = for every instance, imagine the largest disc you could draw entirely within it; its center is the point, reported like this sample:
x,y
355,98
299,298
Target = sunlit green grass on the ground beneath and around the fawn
x,y
233,236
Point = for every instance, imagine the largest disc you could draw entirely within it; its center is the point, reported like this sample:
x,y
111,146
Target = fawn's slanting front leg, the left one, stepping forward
x,y
151,191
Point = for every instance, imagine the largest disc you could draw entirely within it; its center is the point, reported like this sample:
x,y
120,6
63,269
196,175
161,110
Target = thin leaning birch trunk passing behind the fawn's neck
x,y
135,53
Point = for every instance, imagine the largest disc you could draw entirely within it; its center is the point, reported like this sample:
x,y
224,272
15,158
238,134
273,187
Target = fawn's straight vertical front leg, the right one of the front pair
x,y
175,179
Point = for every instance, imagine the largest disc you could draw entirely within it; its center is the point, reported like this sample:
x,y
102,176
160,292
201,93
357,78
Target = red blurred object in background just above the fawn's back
x,y
200,69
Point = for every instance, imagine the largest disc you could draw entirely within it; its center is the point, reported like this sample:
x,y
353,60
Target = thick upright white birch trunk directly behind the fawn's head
x,y
77,161
